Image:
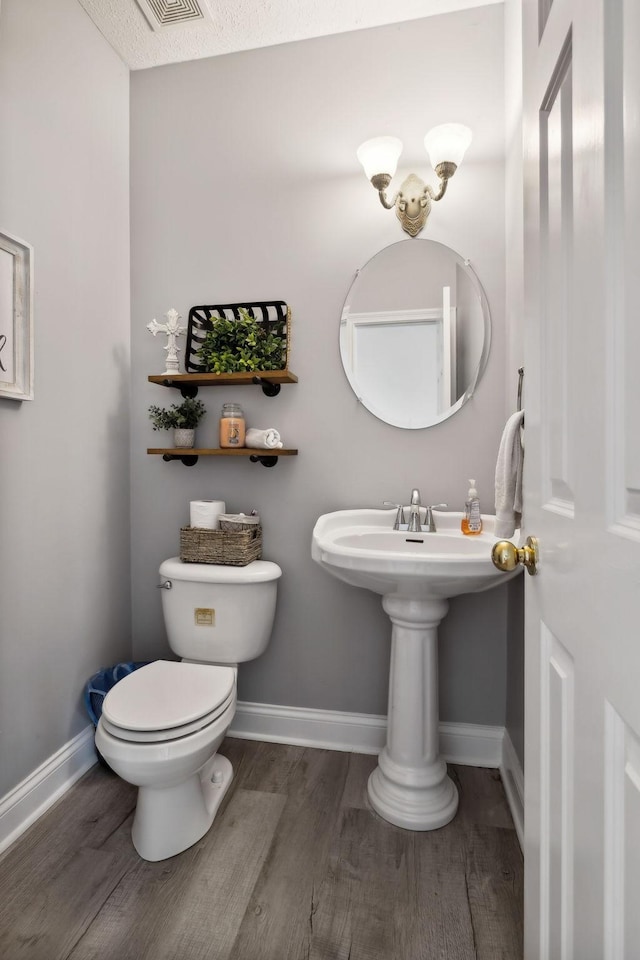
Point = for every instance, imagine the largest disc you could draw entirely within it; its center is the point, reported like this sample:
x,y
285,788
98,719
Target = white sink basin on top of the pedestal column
x,y
361,547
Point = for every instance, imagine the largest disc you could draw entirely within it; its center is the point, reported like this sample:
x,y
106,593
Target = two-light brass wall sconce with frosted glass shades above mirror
x,y
446,146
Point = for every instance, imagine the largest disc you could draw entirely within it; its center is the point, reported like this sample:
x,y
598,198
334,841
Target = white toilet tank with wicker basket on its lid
x,y
219,614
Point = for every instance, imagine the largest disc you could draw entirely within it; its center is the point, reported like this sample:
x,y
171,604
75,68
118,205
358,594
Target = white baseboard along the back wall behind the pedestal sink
x,y
464,743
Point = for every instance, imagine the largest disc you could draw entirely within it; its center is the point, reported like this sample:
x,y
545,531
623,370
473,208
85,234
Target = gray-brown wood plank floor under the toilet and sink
x,y
295,867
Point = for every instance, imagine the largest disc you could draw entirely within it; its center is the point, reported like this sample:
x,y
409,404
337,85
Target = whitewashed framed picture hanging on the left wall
x,y
16,318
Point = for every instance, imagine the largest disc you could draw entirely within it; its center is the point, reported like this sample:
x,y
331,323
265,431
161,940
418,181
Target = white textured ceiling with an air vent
x,y
139,34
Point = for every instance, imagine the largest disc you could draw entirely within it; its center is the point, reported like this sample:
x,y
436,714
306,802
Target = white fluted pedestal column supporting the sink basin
x,y
410,786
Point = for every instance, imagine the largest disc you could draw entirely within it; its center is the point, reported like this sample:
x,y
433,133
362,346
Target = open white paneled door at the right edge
x,y
582,478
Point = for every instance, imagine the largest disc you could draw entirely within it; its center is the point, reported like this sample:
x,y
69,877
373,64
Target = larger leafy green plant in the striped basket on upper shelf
x,y
245,344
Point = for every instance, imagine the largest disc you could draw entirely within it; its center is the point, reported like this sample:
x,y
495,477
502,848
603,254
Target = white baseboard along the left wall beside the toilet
x,y
40,790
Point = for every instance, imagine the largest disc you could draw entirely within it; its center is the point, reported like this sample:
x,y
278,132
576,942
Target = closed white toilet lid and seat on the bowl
x,y
166,695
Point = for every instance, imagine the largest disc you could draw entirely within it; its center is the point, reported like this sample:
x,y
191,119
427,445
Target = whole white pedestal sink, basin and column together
x,y
416,574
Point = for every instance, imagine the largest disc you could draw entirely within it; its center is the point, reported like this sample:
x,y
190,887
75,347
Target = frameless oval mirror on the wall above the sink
x,y
415,333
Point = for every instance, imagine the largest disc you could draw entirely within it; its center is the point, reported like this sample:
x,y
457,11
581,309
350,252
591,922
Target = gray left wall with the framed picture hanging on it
x,y
64,467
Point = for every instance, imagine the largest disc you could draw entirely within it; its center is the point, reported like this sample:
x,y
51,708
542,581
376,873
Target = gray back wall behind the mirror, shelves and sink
x,y
245,185
